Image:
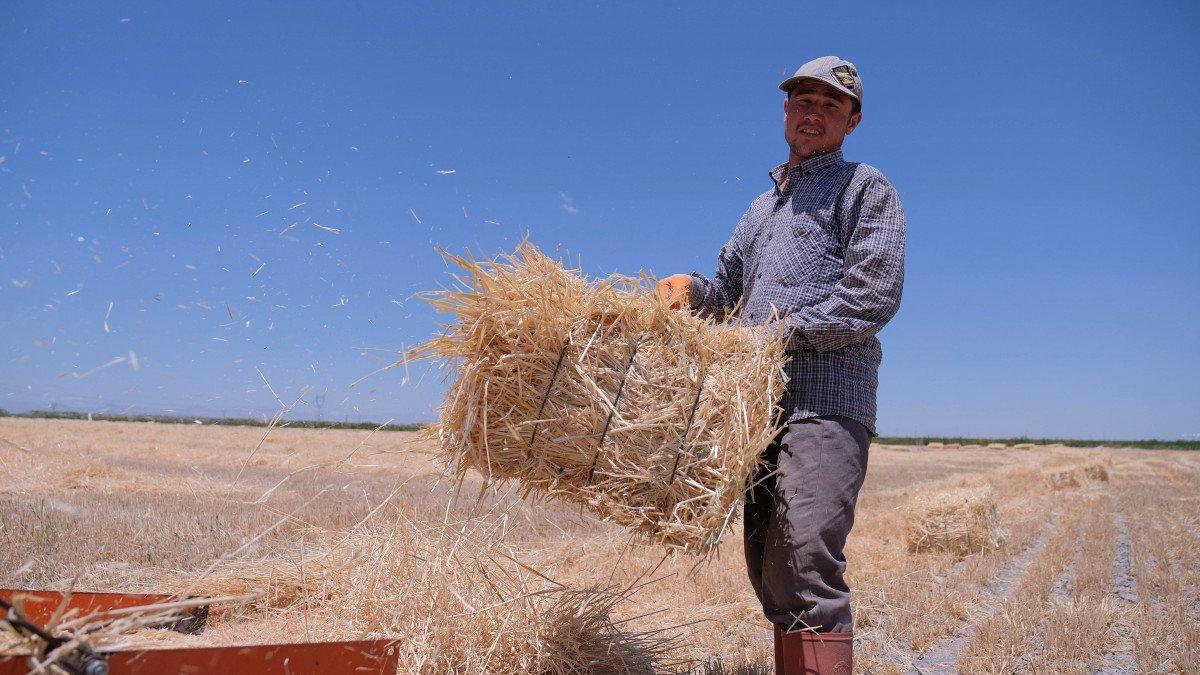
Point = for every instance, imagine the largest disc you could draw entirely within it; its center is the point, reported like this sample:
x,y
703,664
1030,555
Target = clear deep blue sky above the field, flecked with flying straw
x,y
154,157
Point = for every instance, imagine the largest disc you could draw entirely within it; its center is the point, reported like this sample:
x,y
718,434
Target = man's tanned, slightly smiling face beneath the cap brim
x,y
817,120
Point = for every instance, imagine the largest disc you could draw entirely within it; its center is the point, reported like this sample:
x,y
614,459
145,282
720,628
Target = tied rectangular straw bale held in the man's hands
x,y
599,395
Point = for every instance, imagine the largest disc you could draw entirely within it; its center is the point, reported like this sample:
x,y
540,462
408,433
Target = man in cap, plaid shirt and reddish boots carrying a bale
x,y
819,258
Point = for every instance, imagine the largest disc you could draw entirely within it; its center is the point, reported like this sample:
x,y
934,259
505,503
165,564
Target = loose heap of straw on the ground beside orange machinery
x,y
451,596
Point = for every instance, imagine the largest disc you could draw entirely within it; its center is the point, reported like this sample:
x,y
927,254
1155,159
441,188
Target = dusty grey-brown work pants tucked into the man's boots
x,y
797,517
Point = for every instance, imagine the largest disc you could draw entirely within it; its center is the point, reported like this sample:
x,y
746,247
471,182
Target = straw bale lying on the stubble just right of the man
x,y
961,522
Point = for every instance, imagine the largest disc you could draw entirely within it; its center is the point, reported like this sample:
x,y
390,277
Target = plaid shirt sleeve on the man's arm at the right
x,y
868,295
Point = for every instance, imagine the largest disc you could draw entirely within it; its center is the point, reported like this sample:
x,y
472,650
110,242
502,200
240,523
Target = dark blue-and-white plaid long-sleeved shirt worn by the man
x,y
835,277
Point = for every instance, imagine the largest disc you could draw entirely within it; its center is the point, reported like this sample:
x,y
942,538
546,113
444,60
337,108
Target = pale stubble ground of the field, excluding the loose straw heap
x,y
1102,576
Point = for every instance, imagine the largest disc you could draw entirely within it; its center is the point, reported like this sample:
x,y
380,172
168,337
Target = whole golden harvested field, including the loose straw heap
x,y
1096,577
